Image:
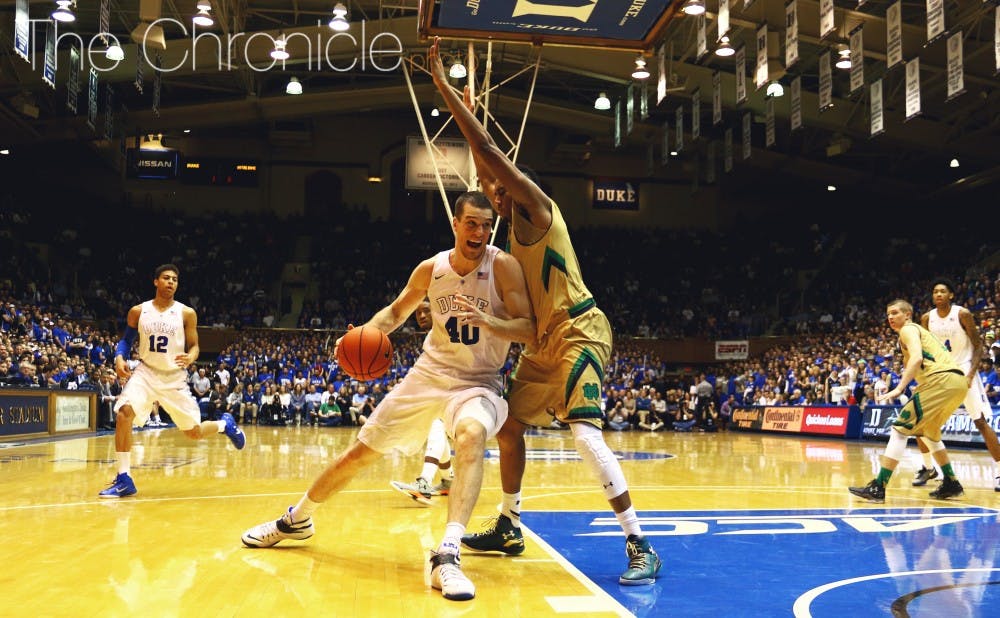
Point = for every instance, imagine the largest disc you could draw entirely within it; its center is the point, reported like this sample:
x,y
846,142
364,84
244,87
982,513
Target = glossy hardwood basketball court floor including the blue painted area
x,y
746,524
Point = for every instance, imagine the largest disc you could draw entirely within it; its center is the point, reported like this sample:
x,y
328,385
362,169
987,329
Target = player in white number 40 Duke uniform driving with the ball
x,y
479,303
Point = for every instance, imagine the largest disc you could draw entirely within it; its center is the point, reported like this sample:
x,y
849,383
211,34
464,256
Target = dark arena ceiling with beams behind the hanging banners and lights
x,y
909,159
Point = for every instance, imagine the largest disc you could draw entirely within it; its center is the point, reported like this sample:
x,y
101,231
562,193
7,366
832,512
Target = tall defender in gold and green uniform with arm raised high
x,y
560,375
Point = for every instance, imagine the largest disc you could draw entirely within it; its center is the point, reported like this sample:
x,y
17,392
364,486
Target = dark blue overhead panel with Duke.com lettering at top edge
x,y
606,19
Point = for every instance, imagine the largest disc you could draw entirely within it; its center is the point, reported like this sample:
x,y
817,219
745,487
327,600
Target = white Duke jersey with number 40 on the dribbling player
x,y
463,350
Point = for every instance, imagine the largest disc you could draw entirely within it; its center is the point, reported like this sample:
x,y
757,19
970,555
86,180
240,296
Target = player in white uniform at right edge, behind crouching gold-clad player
x,y
956,328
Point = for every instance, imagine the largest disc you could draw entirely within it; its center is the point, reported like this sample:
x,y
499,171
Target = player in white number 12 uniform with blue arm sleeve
x,y
166,334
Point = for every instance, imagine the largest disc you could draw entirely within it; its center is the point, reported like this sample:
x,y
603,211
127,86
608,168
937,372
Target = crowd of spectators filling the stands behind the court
x,y
62,308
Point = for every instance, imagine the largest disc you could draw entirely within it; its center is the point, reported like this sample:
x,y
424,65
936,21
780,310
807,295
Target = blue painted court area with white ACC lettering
x,y
933,561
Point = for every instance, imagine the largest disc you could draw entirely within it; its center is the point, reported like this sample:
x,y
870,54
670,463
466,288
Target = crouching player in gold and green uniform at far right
x,y
941,387
